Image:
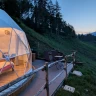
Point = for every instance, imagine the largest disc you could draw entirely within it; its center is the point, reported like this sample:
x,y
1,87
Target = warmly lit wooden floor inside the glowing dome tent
x,y
10,75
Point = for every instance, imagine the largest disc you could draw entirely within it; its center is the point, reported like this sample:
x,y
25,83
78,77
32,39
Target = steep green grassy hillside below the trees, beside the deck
x,y
85,85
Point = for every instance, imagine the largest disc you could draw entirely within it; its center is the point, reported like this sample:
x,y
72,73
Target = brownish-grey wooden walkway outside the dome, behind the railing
x,y
39,80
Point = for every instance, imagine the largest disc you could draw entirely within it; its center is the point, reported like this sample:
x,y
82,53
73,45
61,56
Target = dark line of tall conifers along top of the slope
x,y
41,15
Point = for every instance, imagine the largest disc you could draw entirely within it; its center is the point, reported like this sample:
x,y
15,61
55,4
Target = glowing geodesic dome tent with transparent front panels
x,y
15,52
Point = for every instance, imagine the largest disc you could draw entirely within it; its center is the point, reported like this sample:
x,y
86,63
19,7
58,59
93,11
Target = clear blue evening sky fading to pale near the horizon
x,y
81,14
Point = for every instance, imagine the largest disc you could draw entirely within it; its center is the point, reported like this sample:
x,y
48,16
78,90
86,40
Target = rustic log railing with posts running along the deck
x,y
44,68
